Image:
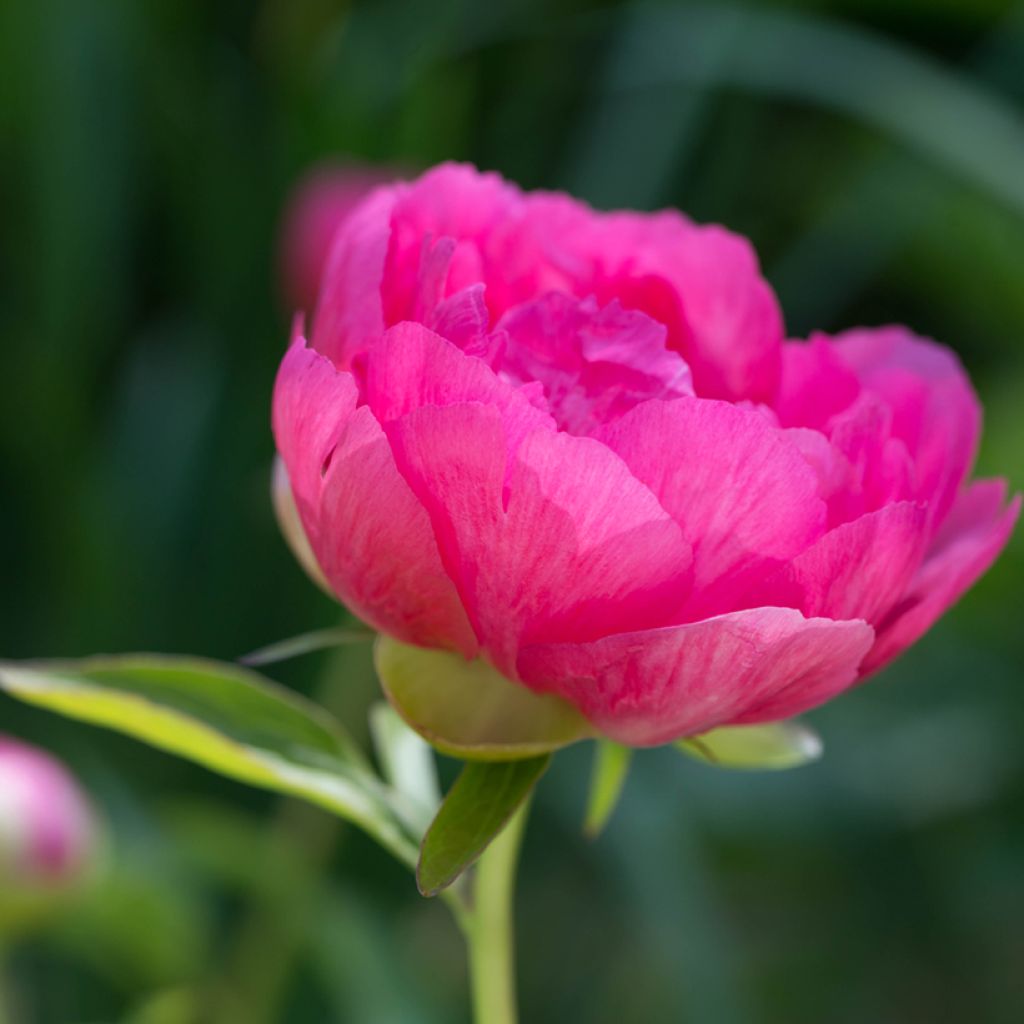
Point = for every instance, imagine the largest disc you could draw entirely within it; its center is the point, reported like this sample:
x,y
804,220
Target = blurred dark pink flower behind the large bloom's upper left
x,y
318,208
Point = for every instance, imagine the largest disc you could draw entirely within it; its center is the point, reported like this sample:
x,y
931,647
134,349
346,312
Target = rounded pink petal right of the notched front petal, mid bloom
x,y
743,493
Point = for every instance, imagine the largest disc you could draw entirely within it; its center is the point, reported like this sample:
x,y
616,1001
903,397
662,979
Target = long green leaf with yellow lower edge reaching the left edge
x,y
228,719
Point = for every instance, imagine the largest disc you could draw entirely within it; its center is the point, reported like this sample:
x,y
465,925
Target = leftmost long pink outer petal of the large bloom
x,y
371,537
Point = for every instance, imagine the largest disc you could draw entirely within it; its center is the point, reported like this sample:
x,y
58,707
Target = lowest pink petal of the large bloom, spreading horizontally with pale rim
x,y
655,687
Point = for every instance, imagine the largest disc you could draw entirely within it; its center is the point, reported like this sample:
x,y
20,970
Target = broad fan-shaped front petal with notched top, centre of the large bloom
x,y
562,542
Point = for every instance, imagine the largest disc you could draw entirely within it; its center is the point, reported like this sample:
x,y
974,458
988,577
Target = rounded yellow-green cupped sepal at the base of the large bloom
x,y
470,710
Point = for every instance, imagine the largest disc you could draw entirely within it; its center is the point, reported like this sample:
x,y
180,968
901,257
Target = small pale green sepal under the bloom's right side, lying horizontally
x,y
774,746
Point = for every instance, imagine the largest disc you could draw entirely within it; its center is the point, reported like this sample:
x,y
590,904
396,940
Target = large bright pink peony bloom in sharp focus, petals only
x,y
576,445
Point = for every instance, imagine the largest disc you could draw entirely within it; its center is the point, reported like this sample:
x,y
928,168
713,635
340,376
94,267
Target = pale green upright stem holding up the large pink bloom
x,y
490,929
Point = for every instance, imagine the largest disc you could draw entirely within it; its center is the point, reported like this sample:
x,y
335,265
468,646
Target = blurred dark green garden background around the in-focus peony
x,y
874,151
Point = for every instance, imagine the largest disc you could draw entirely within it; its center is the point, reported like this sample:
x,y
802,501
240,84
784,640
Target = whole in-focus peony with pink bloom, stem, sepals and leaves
x,y
568,468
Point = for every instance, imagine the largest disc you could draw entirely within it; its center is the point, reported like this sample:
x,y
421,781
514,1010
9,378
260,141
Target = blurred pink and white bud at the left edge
x,y
47,826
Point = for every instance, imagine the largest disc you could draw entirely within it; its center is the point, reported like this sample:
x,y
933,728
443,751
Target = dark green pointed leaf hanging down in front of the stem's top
x,y
477,809
